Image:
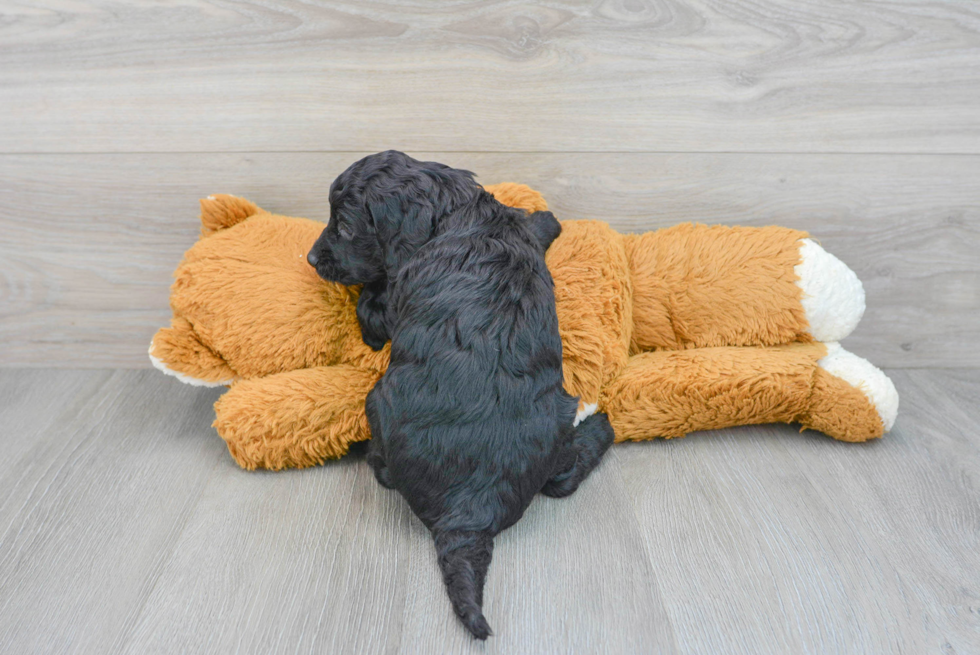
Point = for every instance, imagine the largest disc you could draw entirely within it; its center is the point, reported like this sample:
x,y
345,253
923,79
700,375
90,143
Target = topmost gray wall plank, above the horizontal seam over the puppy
x,y
507,76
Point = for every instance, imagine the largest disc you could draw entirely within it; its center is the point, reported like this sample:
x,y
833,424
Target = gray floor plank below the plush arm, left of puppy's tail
x,y
311,561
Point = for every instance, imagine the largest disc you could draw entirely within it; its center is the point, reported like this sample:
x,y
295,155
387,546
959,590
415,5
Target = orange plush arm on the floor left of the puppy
x,y
295,419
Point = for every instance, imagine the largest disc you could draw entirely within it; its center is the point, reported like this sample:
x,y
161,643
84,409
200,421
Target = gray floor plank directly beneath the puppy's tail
x,y
571,577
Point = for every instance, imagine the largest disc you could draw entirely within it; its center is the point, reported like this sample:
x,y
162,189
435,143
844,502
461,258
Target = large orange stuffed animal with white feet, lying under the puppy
x,y
682,329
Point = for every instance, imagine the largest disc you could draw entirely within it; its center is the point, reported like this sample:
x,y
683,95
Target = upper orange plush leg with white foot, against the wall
x,y
696,286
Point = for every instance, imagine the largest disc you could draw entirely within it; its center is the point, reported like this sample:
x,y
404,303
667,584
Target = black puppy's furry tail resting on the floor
x,y
464,557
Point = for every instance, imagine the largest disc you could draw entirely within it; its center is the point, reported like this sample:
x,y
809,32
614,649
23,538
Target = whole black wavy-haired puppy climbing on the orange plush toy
x,y
470,420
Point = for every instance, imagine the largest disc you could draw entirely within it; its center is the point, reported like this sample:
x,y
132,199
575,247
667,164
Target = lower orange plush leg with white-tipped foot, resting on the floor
x,y
671,393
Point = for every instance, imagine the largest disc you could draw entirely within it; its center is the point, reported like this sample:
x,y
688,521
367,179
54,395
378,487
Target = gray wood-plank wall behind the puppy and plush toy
x,y
859,122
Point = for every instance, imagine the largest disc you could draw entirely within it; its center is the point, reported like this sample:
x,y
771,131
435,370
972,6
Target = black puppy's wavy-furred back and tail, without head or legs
x,y
471,416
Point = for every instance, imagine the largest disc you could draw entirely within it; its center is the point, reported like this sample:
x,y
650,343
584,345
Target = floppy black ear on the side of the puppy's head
x,y
403,225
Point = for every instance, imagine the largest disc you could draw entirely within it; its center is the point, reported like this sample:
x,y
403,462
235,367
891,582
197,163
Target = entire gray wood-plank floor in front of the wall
x,y
126,527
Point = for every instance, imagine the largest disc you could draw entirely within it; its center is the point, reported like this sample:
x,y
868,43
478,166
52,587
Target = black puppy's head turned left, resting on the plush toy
x,y
382,210
